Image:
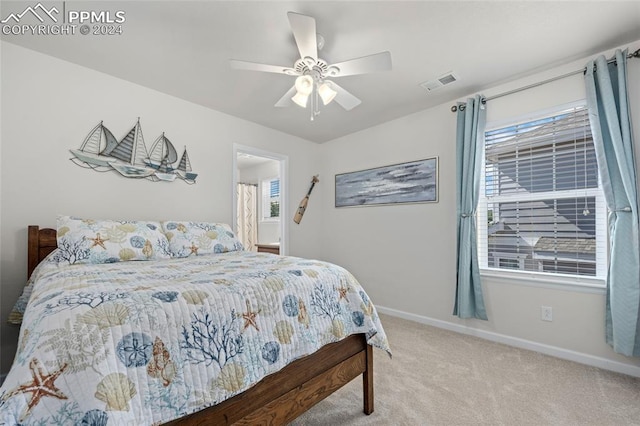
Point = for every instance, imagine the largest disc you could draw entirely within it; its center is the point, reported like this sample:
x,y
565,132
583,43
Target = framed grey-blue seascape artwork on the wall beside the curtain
x,y
412,182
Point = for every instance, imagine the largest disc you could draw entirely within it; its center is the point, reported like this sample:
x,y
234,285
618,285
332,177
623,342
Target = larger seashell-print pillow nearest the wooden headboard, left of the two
x,y
108,241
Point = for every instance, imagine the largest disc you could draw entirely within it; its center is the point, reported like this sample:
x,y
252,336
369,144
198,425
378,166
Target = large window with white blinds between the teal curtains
x,y
541,208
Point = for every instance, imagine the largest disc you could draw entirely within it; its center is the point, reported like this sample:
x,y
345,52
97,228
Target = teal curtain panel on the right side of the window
x,y
609,116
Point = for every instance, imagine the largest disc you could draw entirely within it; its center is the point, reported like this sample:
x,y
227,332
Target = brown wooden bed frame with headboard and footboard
x,y
280,397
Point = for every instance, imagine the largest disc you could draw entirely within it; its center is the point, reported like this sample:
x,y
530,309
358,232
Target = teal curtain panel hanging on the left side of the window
x,y
469,302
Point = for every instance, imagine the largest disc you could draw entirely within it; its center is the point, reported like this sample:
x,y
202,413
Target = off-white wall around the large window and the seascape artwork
x,y
404,255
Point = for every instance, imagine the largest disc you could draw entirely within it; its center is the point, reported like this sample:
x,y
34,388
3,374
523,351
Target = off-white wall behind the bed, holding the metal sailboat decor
x,y
49,106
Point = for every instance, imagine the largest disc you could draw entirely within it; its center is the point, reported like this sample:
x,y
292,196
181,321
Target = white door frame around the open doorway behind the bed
x,y
283,161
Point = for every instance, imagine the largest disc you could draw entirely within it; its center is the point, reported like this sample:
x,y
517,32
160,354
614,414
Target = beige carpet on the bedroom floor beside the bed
x,y
438,377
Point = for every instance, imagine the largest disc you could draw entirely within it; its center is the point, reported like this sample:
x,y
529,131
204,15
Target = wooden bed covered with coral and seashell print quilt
x,y
266,388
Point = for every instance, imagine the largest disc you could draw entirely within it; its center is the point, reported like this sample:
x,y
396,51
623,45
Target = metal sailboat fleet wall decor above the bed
x,y
102,152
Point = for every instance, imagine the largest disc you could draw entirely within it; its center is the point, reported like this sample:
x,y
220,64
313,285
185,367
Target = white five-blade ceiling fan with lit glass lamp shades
x,y
313,73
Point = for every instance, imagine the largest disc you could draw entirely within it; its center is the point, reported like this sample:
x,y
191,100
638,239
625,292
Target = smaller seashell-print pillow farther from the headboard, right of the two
x,y
187,238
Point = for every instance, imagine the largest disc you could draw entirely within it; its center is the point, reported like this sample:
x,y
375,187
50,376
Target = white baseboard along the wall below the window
x,y
555,351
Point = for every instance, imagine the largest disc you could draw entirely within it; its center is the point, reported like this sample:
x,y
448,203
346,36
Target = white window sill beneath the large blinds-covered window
x,y
538,279
